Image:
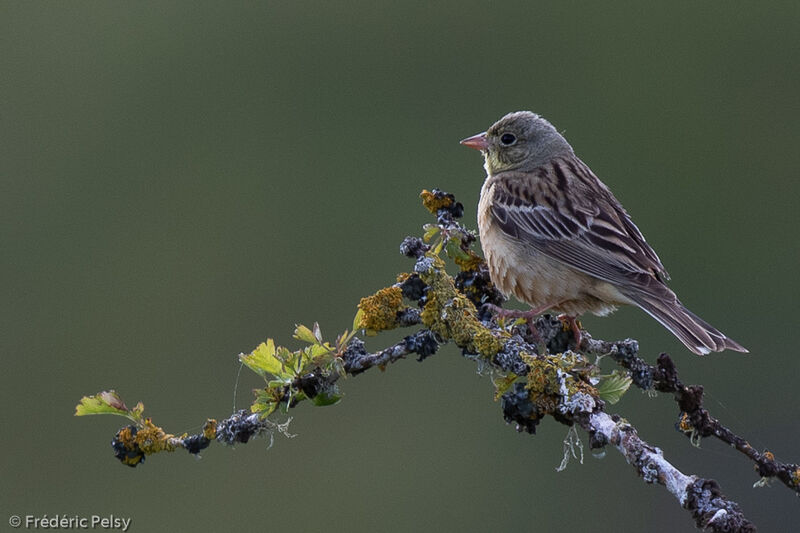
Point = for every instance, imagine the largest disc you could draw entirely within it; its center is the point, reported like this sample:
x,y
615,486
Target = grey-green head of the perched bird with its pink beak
x,y
519,141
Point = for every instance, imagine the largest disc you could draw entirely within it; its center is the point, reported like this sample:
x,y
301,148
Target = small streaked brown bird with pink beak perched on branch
x,y
556,238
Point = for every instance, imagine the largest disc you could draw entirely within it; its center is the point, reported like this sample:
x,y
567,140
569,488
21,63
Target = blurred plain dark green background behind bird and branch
x,y
182,180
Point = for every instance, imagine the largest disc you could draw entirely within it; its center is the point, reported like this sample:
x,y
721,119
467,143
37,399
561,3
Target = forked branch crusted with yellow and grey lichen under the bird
x,y
538,371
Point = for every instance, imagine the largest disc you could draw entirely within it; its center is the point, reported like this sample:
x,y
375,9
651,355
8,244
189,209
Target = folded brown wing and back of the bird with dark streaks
x,y
565,212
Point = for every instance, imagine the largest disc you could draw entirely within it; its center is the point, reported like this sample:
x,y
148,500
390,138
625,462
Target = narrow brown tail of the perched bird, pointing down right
x,y
697,334
